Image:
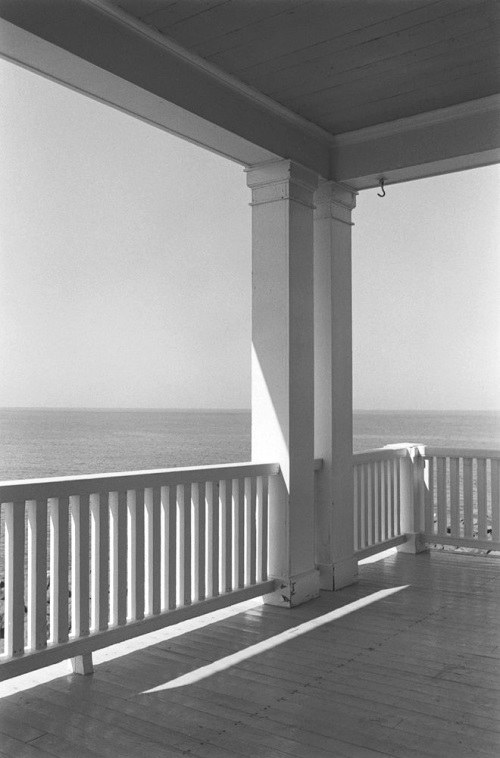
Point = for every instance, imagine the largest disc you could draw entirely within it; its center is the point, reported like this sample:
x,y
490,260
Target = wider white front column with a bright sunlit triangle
x,y
283,367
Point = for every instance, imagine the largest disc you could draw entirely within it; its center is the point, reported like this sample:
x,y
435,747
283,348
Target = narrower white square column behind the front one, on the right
x,y
333,385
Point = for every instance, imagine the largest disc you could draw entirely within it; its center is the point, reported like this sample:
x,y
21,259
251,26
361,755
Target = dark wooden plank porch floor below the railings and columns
x,y
412,673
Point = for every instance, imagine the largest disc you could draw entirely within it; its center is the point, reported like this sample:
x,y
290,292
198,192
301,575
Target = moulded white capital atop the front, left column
x,y
281,180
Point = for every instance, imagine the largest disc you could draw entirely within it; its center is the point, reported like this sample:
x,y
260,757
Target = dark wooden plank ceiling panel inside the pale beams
x,y
342,64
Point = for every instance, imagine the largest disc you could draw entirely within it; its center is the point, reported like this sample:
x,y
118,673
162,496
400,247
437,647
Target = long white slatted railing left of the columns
x,y
126,554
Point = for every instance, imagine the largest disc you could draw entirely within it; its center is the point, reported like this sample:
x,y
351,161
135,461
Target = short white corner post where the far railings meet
x,y
412,478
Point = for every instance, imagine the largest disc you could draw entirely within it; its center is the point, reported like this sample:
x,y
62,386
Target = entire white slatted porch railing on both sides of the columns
x,y
130,553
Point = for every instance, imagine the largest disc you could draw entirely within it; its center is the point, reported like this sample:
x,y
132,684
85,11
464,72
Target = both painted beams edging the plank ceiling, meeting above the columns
x,y
94,48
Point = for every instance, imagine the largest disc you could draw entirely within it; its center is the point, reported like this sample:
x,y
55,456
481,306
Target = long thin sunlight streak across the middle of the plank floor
x,y
261,647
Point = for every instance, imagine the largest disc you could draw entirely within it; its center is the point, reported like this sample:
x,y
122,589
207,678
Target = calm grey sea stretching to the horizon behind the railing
x,y
40,443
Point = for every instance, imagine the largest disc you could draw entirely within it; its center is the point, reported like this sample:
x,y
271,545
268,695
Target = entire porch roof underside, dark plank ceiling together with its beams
x,y
351,89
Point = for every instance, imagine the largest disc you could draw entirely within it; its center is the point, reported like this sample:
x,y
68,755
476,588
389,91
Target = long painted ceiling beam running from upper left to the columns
x,y
98,50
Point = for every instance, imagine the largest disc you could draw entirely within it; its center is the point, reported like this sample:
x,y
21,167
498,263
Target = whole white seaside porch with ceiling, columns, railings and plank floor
x,y
397,664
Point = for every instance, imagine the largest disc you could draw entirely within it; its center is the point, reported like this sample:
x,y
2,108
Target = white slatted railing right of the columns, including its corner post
x,y
426,495
